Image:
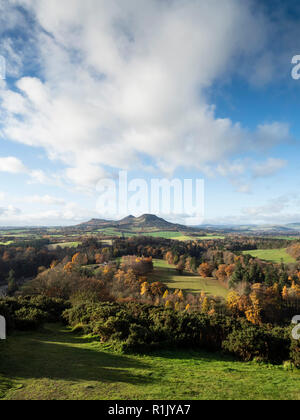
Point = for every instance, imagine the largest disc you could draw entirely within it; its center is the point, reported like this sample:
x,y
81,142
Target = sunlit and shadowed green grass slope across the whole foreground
x,y
56,364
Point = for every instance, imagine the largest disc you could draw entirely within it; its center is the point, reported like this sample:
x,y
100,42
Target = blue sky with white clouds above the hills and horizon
x,y
164,89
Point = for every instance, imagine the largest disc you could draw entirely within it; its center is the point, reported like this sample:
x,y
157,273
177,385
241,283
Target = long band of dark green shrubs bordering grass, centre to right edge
x,y
139,328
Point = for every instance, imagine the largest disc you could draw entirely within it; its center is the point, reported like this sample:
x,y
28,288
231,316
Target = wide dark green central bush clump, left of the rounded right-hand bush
x,y
142,326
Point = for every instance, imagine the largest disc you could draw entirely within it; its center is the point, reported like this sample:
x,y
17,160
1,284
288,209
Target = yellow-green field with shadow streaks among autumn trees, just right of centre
x,y
189,282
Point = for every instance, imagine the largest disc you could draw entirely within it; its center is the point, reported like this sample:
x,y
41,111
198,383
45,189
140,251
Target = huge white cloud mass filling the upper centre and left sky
x,y
122,82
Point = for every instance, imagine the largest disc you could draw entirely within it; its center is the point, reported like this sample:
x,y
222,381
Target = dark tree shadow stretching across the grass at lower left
x,y
57,355
